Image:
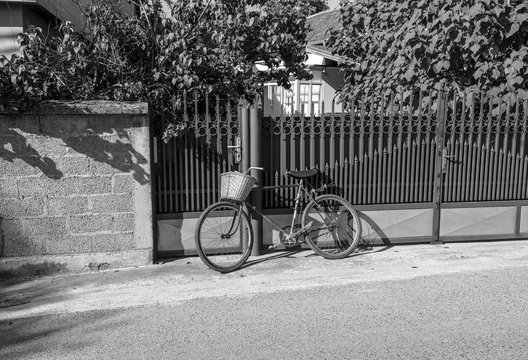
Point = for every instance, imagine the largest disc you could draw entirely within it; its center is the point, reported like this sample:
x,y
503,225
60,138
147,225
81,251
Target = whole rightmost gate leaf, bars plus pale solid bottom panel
x,y
481,189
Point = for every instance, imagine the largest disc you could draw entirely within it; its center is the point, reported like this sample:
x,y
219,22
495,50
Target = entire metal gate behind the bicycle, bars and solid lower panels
x,y
445,168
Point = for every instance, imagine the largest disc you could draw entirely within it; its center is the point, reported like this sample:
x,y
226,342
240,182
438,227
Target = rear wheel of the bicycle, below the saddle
x,y
335,229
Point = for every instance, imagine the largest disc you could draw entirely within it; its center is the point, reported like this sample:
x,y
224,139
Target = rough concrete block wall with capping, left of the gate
x,y
75,189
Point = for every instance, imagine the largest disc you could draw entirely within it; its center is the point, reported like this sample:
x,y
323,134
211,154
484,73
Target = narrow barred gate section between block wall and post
x,y
187,167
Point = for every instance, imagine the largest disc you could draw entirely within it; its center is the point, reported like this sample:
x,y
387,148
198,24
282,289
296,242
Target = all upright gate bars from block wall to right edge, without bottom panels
x,y
378,151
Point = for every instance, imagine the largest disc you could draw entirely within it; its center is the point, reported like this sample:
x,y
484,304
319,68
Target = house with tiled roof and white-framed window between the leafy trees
x,y
316,95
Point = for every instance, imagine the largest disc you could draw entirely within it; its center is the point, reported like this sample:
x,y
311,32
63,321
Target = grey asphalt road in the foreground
x,y
459,315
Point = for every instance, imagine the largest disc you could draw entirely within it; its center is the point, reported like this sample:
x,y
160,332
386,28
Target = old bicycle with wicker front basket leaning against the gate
x,y
224,234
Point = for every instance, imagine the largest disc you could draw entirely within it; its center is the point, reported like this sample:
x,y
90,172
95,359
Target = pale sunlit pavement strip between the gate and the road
x,y
186,279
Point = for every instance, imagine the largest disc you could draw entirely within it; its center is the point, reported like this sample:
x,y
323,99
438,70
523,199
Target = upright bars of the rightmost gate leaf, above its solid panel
x,y
486,154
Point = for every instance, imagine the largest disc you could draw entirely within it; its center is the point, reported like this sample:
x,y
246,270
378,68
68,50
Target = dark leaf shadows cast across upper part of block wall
x,y
100,141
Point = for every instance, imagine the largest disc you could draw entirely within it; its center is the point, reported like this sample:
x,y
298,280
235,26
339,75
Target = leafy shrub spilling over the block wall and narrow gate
x,y
195,45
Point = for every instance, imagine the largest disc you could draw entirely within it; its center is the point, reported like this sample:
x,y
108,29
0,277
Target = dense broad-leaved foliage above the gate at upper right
x,y
479,45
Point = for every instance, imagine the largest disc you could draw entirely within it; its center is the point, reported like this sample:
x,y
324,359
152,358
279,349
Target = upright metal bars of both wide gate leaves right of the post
x,y
386,154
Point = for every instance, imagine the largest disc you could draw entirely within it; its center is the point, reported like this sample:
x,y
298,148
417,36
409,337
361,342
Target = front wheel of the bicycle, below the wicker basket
x,y
224,236
